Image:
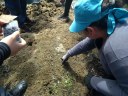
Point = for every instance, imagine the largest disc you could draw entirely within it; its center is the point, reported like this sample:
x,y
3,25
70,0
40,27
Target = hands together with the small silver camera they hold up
x,y
11,32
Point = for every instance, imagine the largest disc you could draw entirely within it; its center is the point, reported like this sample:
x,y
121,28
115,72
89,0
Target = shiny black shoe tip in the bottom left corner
x,y
19,89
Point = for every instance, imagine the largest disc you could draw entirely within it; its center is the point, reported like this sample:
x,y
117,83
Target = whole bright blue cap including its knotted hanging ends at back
x,y
89,11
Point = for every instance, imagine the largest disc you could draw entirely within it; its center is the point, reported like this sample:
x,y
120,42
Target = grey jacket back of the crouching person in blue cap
x,y
114,55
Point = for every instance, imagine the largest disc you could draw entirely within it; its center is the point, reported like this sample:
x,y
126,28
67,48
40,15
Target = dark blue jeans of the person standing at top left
x,y
18,8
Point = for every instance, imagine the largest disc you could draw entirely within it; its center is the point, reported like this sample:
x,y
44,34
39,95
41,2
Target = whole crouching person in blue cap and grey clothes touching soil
x,y
105,28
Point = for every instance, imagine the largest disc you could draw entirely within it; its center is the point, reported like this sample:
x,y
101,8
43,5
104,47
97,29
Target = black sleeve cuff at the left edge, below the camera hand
x,y
4,52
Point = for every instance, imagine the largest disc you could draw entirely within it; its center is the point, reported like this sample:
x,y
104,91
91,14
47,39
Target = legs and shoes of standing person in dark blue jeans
x,y
18,8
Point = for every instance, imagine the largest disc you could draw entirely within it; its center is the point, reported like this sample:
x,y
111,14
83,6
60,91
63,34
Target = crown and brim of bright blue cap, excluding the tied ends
x,y
86,12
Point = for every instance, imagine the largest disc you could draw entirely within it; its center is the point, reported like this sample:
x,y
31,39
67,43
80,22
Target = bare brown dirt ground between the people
x,y
39,62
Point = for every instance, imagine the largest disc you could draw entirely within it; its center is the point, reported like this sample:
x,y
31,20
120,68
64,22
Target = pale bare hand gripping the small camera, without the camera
x,y
14,45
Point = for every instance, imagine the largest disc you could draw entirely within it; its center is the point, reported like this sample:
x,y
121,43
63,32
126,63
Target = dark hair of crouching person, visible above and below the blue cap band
x,y
102,23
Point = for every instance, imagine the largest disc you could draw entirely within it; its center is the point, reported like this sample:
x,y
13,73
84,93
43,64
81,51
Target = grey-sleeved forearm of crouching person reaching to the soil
x,y
83,46
